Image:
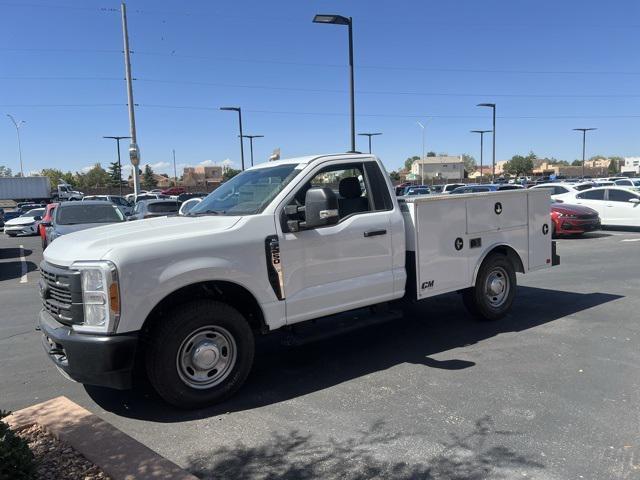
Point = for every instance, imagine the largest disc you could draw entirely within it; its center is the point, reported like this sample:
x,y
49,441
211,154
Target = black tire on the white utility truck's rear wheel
x,y
478,299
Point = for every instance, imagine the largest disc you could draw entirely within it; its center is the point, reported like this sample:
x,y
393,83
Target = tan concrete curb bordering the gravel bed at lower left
x,y
117,454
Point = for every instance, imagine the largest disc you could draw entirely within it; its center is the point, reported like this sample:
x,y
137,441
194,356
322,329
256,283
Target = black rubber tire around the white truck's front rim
x,y
167,340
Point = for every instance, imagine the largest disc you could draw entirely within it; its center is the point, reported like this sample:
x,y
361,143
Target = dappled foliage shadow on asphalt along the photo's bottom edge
x,y
477,455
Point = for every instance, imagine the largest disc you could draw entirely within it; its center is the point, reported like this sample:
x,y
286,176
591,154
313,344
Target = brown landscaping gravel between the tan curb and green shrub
x,y
56,460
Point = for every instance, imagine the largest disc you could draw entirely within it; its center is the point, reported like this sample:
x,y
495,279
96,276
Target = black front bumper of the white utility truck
x,y
101,360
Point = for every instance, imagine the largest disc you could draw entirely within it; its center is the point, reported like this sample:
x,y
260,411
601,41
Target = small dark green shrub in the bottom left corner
x,y
16,459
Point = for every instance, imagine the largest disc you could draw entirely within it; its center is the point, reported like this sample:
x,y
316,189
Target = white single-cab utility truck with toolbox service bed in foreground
x,y
284,242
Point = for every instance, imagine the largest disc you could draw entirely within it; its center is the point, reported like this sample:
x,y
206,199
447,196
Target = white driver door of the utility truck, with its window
x,y
343,266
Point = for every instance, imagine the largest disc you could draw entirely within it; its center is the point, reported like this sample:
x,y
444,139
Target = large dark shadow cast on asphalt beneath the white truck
x,y
431,327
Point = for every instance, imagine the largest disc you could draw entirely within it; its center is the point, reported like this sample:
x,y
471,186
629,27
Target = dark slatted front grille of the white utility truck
x,y
61,293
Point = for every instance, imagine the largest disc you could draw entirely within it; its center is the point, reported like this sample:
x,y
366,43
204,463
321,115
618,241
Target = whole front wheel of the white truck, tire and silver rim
x,y
199,354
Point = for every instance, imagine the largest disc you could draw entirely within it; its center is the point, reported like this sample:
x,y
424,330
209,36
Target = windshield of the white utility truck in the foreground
x,y
247,193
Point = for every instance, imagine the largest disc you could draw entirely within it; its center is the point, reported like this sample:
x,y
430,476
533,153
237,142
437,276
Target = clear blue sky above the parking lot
x,y
549,65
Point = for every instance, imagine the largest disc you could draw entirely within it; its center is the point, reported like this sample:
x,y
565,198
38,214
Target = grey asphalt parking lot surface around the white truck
x,y
550,392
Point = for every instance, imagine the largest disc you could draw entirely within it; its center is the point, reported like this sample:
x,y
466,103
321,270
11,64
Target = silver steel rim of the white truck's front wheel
x,y
206,357
